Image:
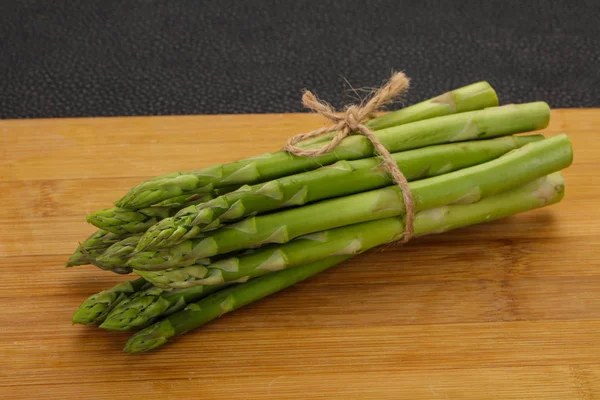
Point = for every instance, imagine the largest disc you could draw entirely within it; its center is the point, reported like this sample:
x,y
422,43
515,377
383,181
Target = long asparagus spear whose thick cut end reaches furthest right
x,y
516,168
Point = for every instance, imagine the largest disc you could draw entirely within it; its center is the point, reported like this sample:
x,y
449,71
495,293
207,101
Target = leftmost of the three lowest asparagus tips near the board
x,y
95,308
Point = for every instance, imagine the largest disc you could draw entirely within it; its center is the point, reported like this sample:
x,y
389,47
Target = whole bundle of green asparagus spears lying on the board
x,y
206,242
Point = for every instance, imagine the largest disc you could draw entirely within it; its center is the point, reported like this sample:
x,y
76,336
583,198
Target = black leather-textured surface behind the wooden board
x,y
95,58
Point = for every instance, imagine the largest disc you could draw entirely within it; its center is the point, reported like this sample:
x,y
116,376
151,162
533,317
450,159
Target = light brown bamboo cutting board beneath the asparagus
x,y
508,309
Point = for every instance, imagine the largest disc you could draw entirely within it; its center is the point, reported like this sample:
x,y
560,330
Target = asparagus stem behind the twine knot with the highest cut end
x,y
473,97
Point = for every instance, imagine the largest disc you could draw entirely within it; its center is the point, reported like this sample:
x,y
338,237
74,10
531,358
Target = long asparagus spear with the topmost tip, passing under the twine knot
x,y
488,123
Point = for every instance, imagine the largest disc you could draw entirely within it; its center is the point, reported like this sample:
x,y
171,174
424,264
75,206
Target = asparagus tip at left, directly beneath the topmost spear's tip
x,y
124,221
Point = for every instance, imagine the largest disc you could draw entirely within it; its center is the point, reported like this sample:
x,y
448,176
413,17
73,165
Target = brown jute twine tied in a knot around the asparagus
x,y
353,121
